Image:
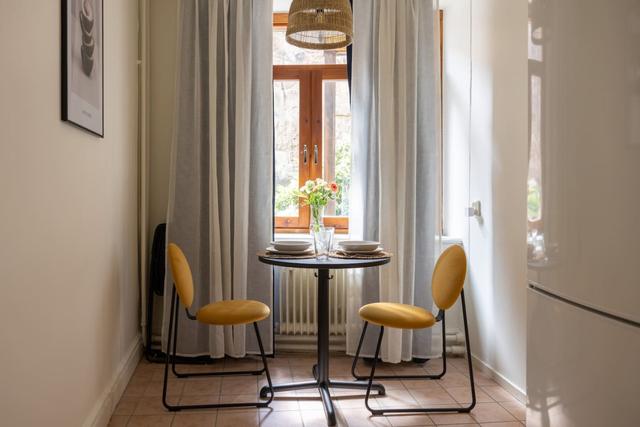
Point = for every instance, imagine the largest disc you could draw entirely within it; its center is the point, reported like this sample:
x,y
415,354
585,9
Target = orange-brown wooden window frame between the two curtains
x,y
310,78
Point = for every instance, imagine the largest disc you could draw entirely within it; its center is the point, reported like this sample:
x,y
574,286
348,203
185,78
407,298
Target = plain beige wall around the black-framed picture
x,y
68,222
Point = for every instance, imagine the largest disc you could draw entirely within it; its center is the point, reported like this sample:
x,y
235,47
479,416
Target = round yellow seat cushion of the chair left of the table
x,y
233,312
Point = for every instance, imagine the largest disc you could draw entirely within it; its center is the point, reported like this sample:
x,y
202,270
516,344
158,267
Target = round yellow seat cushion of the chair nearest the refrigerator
x,y
395,315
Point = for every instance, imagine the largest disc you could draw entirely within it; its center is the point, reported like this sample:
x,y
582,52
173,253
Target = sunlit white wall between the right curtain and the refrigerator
x,y
497,164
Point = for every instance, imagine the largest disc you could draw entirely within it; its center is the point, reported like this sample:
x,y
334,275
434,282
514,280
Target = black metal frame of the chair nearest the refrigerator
x,y
371,377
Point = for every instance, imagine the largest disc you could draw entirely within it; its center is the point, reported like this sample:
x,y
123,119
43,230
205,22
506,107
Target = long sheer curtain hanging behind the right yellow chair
x,y
394,191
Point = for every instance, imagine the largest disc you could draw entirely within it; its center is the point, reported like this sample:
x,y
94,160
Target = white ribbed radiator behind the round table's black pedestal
x,y
298,302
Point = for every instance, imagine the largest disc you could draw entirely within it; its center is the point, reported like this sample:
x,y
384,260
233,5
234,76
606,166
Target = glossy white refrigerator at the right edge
x,y
583,332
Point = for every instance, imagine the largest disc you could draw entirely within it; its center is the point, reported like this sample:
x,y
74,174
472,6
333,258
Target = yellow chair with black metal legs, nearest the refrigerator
x,y
446,286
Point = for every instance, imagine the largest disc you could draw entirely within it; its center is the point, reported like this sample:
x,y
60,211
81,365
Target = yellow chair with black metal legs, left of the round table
x,y
231,312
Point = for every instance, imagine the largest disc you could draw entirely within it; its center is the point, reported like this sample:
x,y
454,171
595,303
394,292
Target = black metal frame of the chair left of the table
x,y
172,340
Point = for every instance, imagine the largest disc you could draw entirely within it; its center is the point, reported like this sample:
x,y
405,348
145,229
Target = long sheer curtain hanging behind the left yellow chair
x,y
220,202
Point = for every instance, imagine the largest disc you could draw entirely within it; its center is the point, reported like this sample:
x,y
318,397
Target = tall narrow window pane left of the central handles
x,y
286,113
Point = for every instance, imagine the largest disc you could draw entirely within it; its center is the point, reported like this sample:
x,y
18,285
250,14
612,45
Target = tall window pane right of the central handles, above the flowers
x,y
336,137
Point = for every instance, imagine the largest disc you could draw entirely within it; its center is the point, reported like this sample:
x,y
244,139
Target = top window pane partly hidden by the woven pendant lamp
x,y
285,53
